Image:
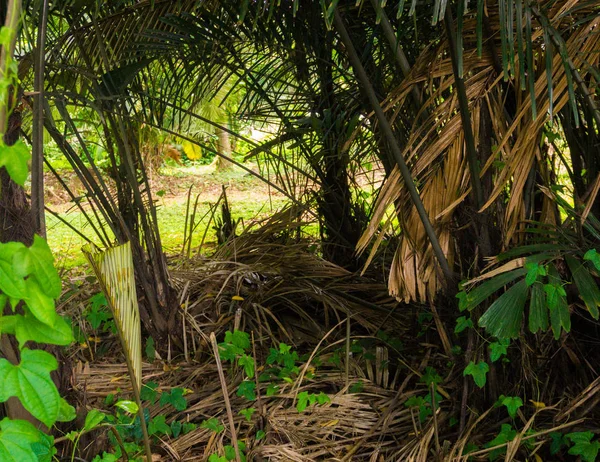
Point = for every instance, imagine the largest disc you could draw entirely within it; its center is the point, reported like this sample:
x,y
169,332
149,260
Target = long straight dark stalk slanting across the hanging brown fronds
x,y
387,129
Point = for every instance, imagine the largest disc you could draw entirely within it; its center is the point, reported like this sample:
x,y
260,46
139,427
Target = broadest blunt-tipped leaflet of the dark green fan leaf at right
x,y
504,318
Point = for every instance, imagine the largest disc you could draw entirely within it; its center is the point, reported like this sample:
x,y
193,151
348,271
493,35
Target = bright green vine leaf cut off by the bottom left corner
x,y
16,441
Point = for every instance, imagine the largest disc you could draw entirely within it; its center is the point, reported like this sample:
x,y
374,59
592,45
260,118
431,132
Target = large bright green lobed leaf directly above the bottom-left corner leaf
x,y
30,382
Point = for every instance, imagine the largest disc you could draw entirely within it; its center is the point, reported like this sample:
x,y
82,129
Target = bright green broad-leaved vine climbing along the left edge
x,y
29,286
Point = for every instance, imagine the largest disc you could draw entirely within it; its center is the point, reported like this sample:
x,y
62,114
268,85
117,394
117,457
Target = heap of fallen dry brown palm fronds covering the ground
x,y
398,401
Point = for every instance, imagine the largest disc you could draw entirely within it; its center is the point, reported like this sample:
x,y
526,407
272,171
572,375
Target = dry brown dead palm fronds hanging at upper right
x,y
436,148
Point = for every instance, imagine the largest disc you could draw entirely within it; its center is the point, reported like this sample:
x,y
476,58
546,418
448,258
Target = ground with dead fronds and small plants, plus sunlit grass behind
x,y
319,363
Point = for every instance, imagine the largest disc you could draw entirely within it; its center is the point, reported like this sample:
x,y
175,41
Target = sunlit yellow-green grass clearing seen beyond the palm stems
x,y
248,197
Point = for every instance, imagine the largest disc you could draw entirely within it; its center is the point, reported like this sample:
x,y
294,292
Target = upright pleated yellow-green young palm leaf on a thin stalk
x,y
114,270
